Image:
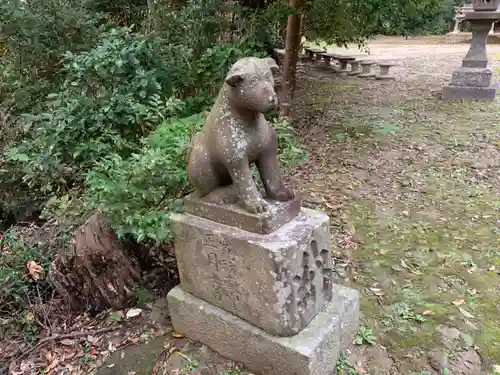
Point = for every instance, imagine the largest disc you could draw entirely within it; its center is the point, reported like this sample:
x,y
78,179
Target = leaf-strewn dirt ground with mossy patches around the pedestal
x,y
412,186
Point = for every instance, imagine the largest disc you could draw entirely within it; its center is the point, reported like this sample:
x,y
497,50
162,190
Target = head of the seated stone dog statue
x,y
250,84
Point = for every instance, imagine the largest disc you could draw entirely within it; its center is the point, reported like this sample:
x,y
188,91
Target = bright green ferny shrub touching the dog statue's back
x,y
138,193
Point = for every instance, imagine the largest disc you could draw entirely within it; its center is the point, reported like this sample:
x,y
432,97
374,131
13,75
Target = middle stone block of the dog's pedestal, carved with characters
x,y
278,282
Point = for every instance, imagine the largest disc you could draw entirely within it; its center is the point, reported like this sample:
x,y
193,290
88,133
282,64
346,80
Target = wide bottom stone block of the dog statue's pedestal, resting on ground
x,y
313,351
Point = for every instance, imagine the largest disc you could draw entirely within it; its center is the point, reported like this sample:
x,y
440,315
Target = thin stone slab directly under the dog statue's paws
x,y
231,214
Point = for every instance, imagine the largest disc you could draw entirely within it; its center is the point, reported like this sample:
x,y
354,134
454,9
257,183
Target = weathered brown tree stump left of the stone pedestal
x,y
96,271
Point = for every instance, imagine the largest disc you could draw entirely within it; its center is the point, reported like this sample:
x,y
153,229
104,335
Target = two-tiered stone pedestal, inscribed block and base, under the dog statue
x,y
264,300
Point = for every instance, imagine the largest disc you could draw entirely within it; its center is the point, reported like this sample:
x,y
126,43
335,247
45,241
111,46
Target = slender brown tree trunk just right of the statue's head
x,y
292,43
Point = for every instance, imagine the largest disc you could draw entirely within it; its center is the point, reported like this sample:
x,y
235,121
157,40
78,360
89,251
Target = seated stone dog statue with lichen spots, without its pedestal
x,y
236,135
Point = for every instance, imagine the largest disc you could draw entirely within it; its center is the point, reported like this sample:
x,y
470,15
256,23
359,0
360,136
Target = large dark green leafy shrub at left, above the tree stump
x,y
111,97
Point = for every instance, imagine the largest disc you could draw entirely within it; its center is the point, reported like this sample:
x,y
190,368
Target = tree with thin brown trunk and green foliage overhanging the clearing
x,y
341,22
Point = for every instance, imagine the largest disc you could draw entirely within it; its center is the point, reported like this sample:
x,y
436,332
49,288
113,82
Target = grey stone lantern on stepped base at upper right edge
x,y
473,79
